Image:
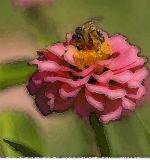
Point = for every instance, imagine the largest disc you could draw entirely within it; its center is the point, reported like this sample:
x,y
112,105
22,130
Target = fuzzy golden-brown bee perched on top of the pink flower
x,y
88,36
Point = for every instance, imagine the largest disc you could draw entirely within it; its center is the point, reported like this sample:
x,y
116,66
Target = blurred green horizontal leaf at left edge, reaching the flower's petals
x,y
15,73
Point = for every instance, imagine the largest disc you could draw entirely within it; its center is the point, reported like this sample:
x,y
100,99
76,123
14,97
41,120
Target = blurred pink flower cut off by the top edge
x,y
32,3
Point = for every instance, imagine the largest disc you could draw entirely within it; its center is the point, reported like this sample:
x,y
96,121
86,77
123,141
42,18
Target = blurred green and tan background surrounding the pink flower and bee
x,y
23,31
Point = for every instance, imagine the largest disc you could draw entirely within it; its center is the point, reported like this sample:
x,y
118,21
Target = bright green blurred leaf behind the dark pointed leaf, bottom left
x,y
21,129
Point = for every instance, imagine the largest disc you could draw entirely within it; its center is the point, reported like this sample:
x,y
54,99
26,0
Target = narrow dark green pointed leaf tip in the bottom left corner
x,y
24,150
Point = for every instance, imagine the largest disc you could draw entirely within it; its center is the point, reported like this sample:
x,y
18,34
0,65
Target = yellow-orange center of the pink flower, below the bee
x,y
85,58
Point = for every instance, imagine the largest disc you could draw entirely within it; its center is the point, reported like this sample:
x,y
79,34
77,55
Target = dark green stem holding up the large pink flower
x,y
100,134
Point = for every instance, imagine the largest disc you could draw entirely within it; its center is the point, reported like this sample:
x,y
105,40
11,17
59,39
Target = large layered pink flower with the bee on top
x,y
108,83
